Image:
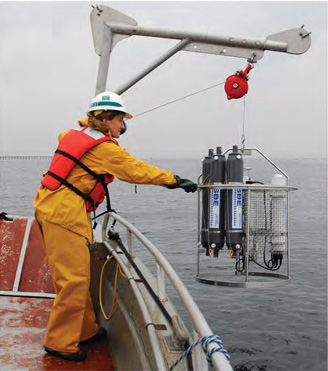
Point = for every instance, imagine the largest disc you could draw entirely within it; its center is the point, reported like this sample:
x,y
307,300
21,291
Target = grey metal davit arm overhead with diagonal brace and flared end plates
x,y
110,26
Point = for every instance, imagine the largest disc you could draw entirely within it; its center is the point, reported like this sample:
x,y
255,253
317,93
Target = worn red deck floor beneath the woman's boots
x,y
23,323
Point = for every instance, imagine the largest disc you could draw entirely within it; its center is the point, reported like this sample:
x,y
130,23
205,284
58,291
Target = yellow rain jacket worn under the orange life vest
x,y
66,208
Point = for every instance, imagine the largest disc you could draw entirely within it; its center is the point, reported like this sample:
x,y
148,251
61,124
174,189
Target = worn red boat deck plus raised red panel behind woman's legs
x,y
24,318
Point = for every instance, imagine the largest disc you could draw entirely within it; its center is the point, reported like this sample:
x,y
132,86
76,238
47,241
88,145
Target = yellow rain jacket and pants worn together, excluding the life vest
x,y
66,230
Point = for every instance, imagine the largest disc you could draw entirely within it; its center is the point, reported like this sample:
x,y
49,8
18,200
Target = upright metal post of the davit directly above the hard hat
x,y
104,61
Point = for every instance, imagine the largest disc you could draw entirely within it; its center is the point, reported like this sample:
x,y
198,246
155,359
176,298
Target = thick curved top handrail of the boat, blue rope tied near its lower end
x,y
198,320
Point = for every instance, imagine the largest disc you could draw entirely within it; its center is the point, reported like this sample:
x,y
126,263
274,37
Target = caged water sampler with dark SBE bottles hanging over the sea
x,y
242,222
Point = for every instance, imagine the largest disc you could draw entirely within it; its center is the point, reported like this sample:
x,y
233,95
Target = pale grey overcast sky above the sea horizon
x,y
48,71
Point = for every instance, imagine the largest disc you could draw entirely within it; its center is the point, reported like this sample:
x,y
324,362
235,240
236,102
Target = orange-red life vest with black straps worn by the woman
x,y
68,154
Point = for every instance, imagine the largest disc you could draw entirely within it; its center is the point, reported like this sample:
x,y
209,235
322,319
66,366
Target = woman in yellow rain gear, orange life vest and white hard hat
x,y
85,162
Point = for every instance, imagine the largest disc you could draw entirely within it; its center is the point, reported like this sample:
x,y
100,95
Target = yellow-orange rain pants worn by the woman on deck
x,y
72,318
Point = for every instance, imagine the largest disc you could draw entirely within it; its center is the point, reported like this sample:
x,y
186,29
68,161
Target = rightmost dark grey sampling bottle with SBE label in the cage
x,y
234,210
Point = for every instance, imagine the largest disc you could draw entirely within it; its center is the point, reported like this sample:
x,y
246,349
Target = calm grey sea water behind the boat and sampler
x,y
282,328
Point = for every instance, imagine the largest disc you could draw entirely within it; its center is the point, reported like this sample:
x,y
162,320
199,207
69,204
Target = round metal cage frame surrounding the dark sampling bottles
x,y
229,278
